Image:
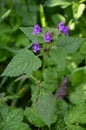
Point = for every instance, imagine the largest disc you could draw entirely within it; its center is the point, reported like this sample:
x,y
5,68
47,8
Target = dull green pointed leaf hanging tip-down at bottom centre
x,y
45,106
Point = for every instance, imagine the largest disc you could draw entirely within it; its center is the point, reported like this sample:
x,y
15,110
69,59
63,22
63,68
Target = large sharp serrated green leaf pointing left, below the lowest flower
x,y
24,62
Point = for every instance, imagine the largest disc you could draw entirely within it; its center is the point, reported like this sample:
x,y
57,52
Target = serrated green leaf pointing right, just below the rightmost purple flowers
x,y
71,44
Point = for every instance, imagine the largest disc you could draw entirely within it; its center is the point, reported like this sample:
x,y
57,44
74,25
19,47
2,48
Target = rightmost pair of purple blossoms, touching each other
x,y
64,29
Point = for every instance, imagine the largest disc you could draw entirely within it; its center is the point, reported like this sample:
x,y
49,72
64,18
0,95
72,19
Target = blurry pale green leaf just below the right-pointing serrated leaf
x,y
58,57
